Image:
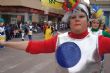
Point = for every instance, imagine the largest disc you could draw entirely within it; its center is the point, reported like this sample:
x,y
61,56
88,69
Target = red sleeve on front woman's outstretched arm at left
x,y
44,46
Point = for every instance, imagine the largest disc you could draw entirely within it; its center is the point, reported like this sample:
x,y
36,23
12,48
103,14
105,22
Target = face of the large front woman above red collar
x,y
78,22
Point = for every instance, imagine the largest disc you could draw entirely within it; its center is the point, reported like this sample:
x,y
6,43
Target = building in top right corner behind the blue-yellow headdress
x,y
105,5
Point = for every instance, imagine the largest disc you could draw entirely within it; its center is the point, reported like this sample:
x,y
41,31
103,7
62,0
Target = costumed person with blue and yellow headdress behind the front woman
x,y
97,26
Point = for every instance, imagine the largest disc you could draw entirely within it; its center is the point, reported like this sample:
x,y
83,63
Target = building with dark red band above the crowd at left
x,y
14,11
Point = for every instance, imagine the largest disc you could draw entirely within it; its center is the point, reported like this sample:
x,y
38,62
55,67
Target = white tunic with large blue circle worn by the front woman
x,y
80,55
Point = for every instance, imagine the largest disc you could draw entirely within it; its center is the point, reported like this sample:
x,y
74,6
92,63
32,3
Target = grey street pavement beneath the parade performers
x,y
17,61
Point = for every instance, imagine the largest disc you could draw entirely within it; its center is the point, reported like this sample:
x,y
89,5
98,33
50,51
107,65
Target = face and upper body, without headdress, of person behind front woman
x,y
99,29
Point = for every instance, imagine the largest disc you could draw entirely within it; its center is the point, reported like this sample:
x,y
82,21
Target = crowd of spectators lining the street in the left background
x,y
21,30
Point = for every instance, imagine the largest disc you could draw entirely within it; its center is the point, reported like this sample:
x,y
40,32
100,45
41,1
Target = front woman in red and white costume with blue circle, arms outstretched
x,y
76,51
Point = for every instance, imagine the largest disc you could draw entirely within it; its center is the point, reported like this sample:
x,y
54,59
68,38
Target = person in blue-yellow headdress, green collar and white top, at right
x,y
97,21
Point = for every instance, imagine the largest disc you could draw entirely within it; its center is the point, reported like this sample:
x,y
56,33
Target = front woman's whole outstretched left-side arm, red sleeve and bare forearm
x,y
34,46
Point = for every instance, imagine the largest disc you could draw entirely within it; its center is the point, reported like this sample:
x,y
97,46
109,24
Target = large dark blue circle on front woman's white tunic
x,y
68,54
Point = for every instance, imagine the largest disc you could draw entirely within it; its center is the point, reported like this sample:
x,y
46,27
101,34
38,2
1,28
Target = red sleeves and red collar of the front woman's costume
x,y
49,46
